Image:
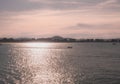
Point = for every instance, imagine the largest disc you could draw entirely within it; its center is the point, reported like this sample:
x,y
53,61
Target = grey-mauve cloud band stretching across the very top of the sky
x,y
24,5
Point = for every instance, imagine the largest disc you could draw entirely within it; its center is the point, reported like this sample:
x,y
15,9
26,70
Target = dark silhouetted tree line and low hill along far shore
x,y
56,39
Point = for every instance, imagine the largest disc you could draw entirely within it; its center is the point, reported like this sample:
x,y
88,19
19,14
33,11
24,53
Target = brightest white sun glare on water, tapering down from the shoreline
x,y
37,52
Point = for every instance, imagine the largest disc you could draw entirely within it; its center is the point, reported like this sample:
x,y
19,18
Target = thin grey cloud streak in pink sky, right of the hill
x,y
93,27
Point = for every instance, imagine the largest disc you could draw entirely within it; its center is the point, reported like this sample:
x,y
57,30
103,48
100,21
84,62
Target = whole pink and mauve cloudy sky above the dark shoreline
x,y
67,18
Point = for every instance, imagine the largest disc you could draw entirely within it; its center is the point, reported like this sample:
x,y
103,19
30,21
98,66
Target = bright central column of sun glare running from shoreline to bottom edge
x,y
38,58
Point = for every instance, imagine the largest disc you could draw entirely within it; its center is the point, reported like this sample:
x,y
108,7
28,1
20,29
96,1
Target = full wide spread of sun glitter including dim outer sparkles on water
x,y
38,63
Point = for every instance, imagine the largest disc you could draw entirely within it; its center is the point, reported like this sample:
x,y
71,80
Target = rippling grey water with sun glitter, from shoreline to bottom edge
x,y
54,63
